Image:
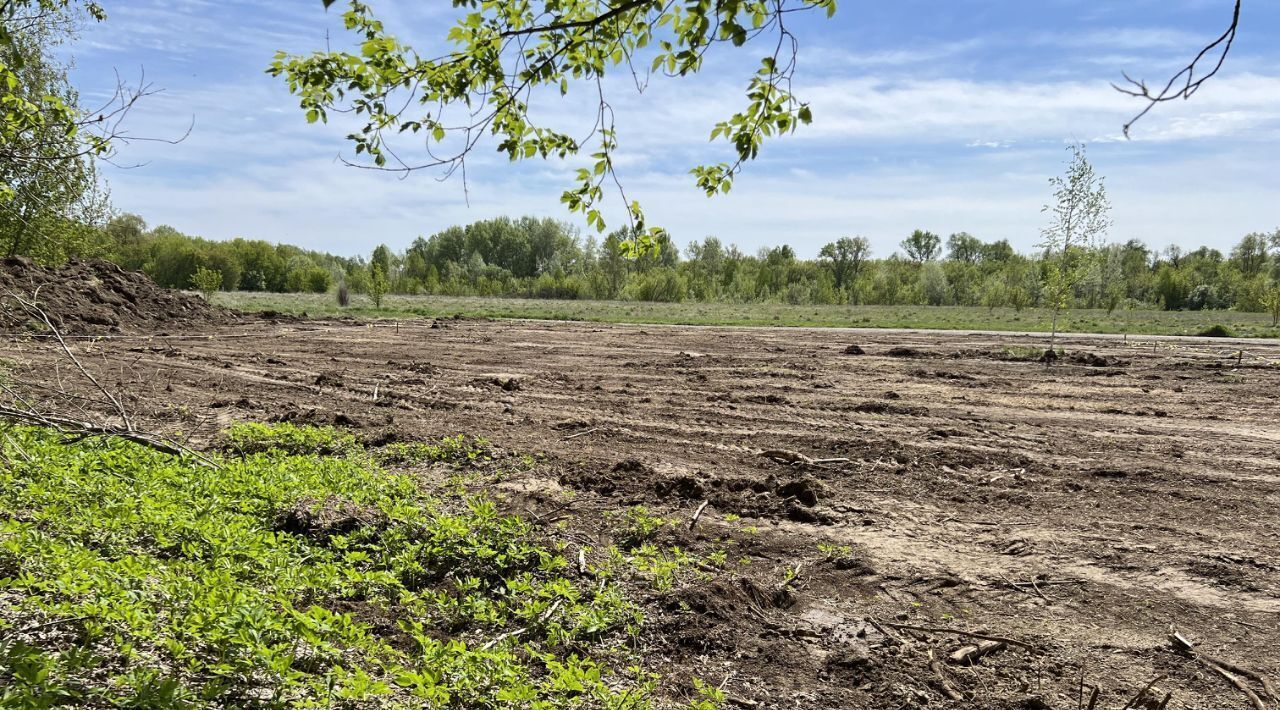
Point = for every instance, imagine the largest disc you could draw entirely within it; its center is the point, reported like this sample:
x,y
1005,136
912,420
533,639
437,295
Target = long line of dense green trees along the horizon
x,y
532,258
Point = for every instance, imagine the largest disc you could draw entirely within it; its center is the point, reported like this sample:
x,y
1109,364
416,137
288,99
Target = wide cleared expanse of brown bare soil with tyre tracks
x,y
1080,510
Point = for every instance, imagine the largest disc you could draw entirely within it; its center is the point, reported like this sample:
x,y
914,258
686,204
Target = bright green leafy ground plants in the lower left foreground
x,y
287,579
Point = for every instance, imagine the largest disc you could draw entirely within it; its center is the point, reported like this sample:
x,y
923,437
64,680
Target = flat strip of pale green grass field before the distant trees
x,y
947,318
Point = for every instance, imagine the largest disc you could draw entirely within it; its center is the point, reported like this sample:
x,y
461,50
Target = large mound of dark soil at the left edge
x,y
98,297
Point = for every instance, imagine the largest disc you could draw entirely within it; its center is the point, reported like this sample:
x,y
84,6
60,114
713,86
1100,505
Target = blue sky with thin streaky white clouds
x,y
943,116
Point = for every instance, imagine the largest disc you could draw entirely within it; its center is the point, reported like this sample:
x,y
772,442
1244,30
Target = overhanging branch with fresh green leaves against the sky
x,y
505,54
